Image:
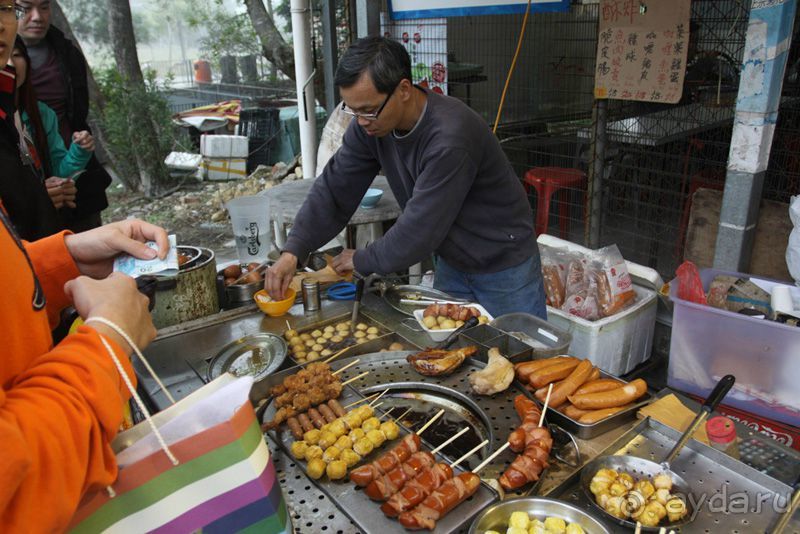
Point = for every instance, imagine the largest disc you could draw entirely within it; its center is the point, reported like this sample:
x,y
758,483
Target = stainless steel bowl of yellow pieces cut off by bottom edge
x,y
496,517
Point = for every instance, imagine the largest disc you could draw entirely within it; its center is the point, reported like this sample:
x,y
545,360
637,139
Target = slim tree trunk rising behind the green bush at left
x,y
142,128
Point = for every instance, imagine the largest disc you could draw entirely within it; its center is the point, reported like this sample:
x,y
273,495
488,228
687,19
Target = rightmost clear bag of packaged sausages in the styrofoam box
x,y
614,285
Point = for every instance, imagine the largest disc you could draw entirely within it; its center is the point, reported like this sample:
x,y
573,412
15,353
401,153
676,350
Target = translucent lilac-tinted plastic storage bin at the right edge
x,y
764,356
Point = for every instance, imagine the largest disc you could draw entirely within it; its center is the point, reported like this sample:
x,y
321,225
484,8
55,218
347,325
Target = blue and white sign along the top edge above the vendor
x,y
423,9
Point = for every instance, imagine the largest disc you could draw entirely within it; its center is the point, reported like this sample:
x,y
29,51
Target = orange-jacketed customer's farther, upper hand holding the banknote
x,y
94,251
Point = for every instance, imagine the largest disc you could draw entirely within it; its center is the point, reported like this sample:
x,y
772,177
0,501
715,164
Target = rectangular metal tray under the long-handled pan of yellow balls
x,y
729,495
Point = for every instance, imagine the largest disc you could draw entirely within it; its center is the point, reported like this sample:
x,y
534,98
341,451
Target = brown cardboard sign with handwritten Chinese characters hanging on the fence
x,y
641,50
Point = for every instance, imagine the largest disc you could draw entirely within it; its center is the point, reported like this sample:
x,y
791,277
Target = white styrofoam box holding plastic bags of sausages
x,y
618,343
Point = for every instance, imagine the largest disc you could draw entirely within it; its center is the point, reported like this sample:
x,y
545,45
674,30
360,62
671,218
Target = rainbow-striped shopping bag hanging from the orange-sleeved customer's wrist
x,y
224,479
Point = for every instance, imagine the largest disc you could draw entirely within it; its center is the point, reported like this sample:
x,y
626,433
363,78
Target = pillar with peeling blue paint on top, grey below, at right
x,y
769,34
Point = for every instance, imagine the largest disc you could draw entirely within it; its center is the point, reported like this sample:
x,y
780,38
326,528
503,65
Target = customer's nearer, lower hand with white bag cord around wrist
x,y
116,299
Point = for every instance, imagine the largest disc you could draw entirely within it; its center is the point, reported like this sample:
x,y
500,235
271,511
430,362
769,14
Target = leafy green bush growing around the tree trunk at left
x,y
128,107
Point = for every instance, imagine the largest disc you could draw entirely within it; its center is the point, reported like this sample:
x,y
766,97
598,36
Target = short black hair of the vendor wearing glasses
x,y
385,59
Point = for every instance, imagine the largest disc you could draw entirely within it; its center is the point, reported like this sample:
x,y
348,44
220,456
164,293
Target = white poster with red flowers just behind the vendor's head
x,y
426,43
